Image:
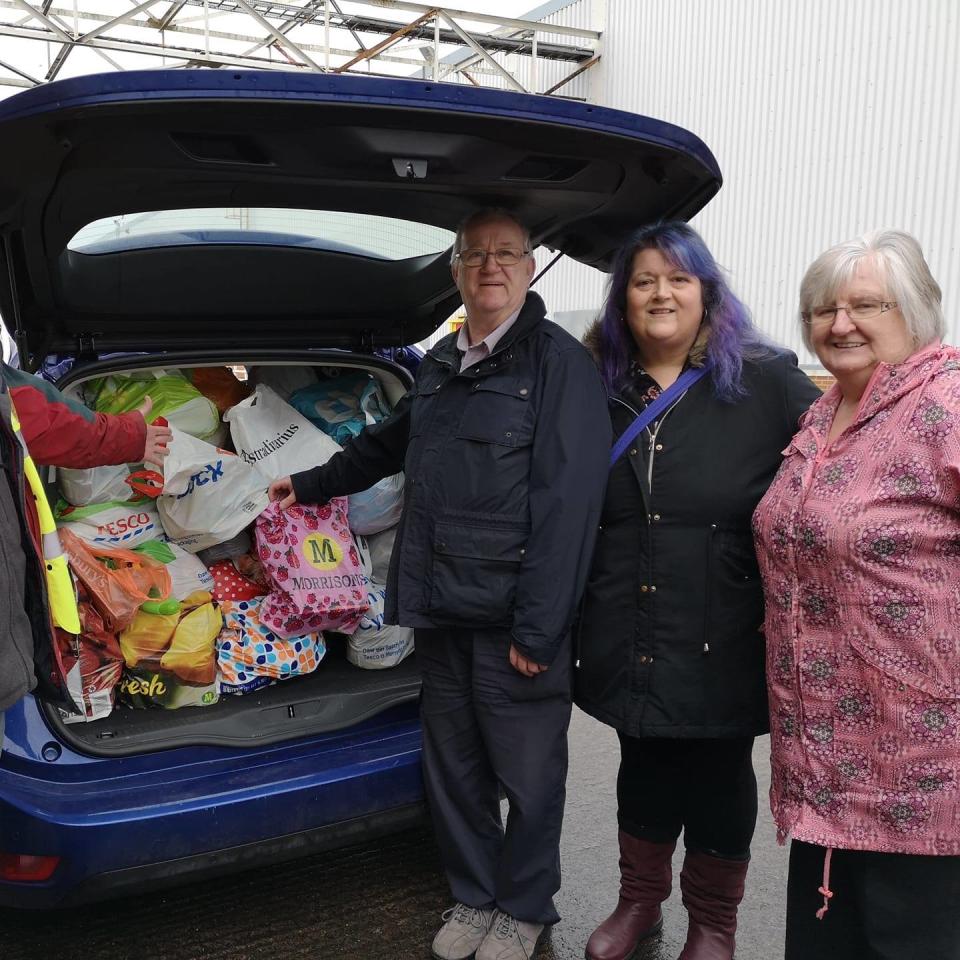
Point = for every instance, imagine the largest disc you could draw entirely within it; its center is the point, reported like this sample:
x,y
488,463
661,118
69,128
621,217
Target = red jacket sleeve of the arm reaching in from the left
x,y
59,435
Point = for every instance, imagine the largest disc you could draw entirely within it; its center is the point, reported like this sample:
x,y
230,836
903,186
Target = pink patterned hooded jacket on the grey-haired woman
x,y
859,548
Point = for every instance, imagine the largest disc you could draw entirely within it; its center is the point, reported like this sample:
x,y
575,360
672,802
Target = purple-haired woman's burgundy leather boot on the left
x,y
645,877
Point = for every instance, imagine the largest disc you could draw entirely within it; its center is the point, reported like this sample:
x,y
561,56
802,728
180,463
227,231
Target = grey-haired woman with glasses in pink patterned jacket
x,y
858,539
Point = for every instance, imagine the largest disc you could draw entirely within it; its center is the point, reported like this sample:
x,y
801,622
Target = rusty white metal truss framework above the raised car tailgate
x,y
41,40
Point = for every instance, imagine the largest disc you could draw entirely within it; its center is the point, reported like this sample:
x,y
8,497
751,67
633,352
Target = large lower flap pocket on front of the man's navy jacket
x,y
475,568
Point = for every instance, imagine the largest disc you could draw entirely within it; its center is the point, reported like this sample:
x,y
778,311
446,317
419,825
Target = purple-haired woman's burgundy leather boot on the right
x,y
711,889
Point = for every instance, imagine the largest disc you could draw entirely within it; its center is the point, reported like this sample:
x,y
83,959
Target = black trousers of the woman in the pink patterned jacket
x,y
885,906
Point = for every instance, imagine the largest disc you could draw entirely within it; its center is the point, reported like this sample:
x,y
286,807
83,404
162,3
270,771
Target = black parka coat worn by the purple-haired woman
x,y
669,641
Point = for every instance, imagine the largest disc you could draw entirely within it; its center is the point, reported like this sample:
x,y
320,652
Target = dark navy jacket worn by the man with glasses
x,y
505,465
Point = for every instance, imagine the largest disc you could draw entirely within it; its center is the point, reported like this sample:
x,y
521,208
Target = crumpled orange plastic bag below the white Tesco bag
x,y
118,581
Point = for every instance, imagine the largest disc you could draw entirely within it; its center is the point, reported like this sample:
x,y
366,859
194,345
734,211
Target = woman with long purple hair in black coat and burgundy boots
x,y
670,649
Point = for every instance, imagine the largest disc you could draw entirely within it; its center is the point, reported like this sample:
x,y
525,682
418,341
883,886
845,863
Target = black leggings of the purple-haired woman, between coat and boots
x,y
706,788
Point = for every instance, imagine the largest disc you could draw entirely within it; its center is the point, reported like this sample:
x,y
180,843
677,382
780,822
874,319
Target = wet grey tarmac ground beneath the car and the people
x,y
384,899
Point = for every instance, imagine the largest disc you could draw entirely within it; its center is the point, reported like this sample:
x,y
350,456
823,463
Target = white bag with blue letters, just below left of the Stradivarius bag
x,y
209,495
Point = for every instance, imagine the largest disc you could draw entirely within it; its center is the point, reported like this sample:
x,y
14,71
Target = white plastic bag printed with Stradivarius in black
x,y
271,436
